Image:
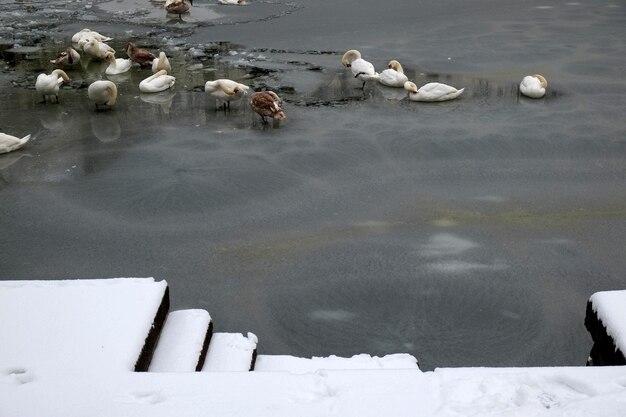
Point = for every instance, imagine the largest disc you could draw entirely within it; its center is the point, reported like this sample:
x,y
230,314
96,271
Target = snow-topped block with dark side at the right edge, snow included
x,y
606,322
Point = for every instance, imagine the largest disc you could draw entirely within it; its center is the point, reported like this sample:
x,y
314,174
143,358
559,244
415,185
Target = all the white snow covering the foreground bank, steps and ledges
x,y
68,349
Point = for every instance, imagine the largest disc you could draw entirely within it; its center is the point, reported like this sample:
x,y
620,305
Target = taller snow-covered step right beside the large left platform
x,y
184,341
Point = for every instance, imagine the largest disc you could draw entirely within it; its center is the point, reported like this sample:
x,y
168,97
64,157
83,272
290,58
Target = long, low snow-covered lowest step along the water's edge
x,y
296,365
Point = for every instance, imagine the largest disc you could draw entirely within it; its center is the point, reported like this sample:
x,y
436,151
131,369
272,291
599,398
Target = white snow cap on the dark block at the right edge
x,y
610,307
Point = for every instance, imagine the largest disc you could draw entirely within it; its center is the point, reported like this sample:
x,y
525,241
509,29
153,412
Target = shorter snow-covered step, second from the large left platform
x,y
231,352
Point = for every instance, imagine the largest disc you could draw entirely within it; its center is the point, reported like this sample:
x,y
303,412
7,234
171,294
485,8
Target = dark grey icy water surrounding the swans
x,y
468,232
